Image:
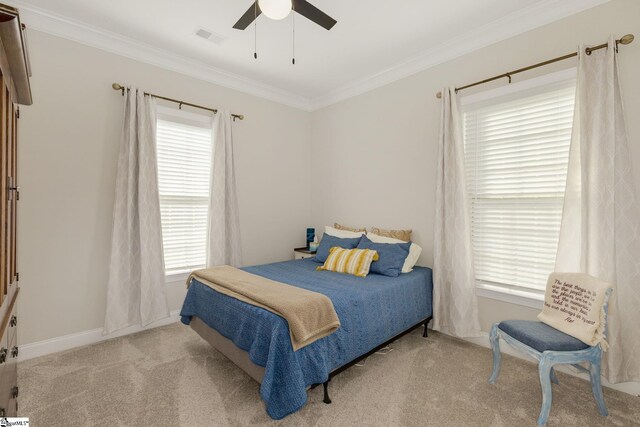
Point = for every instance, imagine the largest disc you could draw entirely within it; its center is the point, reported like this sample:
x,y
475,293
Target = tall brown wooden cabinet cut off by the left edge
x,y
14,90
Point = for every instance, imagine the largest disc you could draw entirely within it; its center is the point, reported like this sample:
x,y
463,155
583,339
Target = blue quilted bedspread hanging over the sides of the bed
x,y
371,310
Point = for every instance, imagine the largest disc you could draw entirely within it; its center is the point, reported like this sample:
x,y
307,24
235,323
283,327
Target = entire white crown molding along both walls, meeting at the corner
x,y
519,22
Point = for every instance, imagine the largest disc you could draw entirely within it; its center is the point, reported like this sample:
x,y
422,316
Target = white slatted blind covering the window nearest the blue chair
x,y
516,156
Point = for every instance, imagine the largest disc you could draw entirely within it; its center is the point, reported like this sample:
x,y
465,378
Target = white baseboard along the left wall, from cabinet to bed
x,y
66,342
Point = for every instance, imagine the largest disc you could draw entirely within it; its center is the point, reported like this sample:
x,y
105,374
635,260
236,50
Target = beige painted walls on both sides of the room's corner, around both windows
x,y
372,159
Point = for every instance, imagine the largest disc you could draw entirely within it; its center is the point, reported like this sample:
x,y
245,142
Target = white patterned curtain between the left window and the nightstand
x,y
223,239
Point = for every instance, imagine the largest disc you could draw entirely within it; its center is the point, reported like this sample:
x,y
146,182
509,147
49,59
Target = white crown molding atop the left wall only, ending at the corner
x,y
61,26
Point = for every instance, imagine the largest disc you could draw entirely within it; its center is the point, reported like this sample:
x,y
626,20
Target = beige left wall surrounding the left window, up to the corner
x,y
68,149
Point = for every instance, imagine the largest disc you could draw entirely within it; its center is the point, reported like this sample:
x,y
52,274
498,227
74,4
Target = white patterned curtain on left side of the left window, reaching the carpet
x,y
136,292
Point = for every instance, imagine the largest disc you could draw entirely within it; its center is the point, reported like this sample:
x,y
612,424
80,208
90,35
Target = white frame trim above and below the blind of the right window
x,y
501,291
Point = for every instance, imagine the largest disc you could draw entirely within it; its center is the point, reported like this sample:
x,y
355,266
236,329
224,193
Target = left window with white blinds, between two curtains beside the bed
x,y
184,144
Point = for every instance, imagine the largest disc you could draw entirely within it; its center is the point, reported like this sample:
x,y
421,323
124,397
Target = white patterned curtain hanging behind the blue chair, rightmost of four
x,y
600,231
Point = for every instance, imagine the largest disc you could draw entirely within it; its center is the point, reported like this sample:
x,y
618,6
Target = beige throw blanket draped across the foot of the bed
x,y
310,315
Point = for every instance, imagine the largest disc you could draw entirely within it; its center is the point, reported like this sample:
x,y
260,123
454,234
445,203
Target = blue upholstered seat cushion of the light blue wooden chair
x,y
540,336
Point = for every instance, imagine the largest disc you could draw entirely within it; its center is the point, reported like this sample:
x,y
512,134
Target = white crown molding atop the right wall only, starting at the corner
x,y
519,22
